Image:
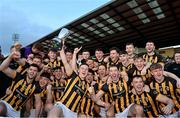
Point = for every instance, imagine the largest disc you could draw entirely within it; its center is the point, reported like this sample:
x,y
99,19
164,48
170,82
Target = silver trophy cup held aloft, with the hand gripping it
x,y
63,34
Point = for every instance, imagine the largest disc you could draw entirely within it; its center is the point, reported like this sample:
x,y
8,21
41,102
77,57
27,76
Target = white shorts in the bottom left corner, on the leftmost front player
x,y
10,110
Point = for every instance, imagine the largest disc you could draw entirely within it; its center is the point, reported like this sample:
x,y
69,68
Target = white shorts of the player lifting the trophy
x,y
67,113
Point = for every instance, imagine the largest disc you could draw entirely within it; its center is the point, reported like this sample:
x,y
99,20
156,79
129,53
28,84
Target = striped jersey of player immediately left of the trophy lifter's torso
x,y
58,89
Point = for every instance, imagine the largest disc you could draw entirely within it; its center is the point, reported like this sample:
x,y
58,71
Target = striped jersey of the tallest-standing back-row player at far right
x,y
156,58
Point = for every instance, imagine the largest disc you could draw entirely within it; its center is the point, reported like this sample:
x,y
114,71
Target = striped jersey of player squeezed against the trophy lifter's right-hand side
x,y
87,104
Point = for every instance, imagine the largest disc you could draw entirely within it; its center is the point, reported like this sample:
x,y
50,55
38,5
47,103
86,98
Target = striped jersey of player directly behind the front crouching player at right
x,y
147,78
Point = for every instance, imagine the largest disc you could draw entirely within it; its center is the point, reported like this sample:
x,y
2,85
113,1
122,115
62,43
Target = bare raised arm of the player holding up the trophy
x,y
68,68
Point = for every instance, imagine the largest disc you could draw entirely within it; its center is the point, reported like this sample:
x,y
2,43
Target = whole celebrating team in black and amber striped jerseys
x,y
120,85
